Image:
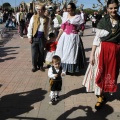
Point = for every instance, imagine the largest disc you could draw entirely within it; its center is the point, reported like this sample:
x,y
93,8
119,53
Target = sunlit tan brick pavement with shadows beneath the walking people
x,y
25,95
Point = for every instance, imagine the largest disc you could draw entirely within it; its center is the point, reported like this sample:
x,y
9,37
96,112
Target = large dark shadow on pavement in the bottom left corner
x,y
13,105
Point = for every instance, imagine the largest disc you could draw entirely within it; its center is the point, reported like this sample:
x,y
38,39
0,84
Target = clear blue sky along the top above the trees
x,y
87,3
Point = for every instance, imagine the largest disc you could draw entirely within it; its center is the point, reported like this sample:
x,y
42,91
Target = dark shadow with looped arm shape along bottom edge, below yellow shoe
x,y
88,114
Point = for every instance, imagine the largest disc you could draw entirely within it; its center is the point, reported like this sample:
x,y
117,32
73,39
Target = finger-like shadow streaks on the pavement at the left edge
x,y
6,51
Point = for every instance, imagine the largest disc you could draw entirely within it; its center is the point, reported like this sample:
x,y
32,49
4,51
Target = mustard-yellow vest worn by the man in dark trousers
x,y
37,23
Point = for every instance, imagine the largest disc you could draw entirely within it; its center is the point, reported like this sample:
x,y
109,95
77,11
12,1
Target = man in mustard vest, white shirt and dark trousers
x,y
37,35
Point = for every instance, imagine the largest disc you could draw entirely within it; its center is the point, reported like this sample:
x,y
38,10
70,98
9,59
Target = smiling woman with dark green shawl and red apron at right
x,y
103,70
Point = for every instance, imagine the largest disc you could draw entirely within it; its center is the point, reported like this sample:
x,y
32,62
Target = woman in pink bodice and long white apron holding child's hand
x,y
70,47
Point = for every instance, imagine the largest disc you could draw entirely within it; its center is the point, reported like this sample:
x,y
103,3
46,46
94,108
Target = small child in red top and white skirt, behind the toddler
x,y
50,49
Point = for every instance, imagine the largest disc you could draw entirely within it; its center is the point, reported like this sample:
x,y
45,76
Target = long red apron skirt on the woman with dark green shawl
x,y
108,67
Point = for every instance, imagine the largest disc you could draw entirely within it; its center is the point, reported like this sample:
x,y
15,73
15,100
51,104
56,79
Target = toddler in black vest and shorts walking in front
x,y
55,74
